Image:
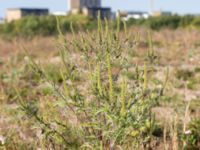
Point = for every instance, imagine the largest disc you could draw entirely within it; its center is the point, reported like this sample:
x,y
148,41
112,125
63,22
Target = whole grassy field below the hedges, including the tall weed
x,y
165,71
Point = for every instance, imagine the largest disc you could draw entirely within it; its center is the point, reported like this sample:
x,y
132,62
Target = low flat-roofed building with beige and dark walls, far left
x,y
17,13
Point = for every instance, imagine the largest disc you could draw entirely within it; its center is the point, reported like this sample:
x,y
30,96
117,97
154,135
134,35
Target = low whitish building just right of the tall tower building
x,y
126,15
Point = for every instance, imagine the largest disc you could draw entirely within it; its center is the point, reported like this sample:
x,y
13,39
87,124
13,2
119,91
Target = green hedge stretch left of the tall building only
x,y
44,25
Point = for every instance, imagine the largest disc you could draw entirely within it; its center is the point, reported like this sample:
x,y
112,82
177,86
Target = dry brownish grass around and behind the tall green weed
x,y
179,50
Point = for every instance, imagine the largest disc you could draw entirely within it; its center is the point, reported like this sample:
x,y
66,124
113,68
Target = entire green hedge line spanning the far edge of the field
x,y
47,25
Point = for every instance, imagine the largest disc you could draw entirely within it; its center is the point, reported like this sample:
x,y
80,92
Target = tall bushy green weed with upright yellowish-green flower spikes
x,y
103,108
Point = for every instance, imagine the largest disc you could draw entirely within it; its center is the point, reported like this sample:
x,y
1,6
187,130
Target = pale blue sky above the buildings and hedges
x,y
179,6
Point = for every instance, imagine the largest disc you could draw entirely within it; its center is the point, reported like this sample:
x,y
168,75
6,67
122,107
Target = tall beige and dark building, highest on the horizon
x,y
89,8
